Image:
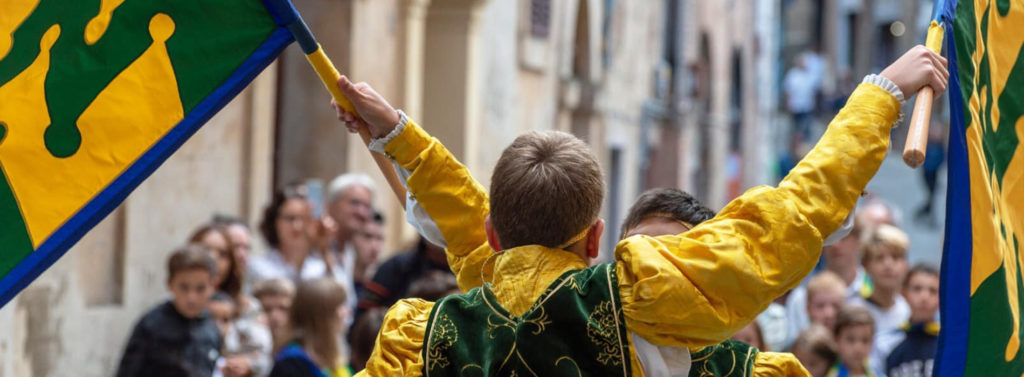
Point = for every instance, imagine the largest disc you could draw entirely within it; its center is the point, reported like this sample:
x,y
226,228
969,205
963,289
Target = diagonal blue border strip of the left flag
x,y
71,232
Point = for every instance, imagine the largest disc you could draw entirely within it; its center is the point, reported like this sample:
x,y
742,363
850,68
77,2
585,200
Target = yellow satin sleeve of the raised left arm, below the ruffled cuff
x,y
450,195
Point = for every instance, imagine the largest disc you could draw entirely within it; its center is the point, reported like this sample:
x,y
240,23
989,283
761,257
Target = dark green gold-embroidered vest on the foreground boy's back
x,y
576,328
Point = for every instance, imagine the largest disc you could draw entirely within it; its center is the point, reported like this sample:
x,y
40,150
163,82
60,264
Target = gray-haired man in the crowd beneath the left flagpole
x,y
350,204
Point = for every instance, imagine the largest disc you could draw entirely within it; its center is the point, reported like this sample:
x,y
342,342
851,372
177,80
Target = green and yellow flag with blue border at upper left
x,y
96,95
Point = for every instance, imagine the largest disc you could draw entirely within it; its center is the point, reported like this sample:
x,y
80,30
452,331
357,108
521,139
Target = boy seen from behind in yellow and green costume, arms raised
x,y
688,290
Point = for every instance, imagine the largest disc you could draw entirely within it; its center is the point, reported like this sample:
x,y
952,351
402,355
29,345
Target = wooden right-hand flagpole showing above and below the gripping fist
x,y
917,137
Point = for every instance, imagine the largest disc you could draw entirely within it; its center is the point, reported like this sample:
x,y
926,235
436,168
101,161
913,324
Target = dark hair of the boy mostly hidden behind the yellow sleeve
x,y
672,203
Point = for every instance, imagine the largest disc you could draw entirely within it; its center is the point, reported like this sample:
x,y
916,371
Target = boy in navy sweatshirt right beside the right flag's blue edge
x,y
915,357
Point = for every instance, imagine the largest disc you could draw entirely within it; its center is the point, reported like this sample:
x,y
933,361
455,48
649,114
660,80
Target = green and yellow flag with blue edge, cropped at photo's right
x,y
983,291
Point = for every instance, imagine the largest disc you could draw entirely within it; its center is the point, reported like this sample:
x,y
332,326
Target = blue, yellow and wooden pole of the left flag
x,y
290,18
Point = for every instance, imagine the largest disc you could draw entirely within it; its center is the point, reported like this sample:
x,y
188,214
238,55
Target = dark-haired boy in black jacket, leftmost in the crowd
x,y
178,338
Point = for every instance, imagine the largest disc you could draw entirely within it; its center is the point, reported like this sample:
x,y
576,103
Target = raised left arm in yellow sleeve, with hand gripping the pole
x,y
456,202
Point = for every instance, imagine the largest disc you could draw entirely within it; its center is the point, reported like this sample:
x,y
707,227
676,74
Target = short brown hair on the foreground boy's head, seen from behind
x,y
546,189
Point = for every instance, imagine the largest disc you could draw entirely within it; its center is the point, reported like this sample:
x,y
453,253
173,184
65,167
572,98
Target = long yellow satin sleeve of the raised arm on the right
x,y
701,287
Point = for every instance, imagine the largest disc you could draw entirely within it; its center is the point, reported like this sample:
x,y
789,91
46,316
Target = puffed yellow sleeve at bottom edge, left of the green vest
x,y
398,352
